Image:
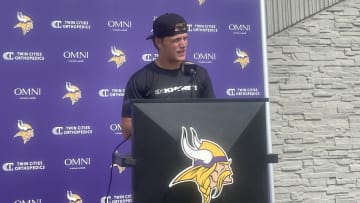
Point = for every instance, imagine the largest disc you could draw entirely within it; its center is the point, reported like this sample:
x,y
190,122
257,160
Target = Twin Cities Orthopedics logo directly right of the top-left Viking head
x,y
71,24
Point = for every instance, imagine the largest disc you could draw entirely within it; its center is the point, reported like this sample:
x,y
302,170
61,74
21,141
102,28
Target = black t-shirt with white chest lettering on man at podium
x,y
153,82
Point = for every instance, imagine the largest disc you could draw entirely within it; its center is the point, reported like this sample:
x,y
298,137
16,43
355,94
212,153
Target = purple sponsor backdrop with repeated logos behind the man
x,y
63,69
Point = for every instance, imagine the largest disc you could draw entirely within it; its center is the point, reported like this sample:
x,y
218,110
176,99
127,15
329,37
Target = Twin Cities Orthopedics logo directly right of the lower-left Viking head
x,y
72,130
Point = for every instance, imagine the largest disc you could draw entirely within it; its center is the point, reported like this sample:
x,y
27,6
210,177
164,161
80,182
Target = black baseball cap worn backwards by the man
x,y
167,25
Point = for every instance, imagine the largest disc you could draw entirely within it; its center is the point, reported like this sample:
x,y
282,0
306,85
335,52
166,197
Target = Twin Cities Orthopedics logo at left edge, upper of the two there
x,y
23,56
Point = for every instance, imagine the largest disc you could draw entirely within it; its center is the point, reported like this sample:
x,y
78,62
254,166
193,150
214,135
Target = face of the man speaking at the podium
x,y
174,48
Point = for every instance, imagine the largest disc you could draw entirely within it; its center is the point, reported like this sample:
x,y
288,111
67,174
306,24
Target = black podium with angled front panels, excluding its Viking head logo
x,y
236,126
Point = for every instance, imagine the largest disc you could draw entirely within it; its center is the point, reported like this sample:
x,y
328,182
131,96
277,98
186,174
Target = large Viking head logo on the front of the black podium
x,y
210,169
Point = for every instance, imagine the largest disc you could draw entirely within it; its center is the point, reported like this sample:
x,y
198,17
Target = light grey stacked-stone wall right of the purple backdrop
x,y
314,76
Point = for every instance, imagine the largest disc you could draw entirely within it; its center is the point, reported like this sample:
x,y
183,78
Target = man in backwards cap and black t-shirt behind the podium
x,y
170,75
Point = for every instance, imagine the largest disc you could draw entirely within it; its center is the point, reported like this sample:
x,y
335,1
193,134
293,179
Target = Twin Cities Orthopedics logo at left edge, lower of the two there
x,y
23,166
